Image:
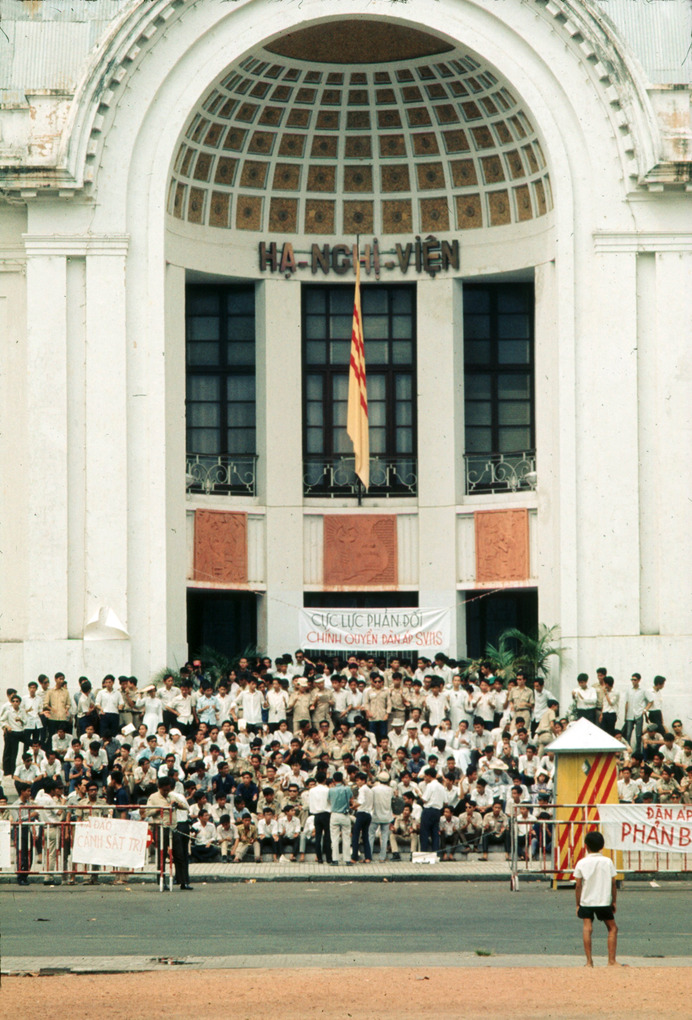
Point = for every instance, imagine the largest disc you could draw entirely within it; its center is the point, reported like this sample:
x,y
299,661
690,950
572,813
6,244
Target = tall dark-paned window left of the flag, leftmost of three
x,y
221,388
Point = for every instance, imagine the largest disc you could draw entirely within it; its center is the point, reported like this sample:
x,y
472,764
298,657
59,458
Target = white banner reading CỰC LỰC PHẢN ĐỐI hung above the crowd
x,y
376,630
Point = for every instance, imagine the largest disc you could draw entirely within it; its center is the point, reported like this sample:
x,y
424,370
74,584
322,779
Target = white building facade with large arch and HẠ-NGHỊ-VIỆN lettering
x,y
182,185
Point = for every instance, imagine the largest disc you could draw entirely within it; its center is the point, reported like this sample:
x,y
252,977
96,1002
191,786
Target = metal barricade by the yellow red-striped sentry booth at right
x,y
551,847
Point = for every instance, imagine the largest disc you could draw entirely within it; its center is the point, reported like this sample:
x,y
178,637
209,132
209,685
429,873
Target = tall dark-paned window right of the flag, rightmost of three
x,y
499,349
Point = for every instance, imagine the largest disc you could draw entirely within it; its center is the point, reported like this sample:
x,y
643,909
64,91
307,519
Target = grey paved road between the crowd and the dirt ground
x,y
296,919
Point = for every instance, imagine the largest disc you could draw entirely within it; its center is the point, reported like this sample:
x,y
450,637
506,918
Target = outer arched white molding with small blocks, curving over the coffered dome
x,y
586,33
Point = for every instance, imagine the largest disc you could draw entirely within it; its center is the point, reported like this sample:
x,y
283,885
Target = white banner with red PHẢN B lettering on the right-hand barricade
x,y
659,828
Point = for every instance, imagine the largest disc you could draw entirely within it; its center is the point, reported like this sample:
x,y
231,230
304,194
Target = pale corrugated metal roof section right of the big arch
x,y
660,35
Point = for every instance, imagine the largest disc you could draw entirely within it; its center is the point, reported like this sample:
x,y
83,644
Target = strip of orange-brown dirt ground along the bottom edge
x,y
366,994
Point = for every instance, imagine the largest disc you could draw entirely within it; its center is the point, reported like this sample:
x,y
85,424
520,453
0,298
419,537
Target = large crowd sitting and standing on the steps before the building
x,y
340,759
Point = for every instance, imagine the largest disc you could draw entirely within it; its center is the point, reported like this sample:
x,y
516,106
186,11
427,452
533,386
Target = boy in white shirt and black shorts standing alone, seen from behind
x,y
597,893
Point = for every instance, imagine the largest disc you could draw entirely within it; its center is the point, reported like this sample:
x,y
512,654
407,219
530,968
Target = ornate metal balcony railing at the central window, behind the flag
x,y
336,477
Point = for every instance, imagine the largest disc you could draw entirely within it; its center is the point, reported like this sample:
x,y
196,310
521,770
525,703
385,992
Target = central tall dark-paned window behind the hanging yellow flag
x,y
389,320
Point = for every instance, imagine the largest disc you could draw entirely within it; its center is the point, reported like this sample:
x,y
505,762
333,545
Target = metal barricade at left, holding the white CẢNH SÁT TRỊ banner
x,y
42,839
